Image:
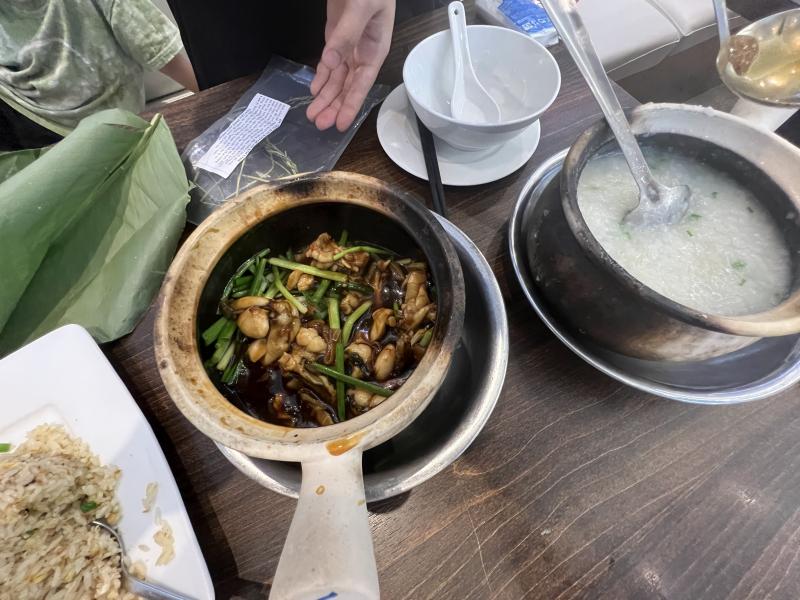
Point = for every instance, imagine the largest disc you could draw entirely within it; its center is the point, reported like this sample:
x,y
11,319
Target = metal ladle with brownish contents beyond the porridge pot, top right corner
x,y
762,61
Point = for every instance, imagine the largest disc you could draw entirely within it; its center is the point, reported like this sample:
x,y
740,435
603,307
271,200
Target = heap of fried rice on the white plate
x,y
51,487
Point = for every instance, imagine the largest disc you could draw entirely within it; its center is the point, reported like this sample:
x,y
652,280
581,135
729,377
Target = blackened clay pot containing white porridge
x,y
592,294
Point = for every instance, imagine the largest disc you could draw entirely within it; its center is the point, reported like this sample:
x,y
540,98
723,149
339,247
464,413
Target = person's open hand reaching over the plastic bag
x,y
357,38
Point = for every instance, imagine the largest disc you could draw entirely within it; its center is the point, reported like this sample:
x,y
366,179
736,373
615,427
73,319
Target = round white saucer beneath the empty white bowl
x,y
399,137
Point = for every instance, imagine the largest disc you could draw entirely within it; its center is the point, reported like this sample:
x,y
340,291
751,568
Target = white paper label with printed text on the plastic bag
x,y
261,117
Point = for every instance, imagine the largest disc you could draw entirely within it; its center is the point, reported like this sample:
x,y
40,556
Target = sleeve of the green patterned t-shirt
x,y
144,32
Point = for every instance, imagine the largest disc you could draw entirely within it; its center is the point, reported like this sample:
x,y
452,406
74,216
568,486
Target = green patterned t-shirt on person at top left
x,y
61,60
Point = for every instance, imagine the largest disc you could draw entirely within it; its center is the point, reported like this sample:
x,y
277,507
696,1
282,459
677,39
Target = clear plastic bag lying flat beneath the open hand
x,y
297,146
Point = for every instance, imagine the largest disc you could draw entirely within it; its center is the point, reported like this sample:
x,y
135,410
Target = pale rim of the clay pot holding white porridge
x,y
782,319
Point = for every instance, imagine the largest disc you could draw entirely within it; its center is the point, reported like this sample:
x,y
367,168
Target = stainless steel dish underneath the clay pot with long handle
x,y
453,418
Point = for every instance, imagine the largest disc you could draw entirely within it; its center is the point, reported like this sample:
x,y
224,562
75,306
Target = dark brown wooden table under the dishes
x,y
577,487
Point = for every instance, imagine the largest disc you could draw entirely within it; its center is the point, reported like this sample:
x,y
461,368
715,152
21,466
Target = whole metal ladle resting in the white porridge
x,y
658,204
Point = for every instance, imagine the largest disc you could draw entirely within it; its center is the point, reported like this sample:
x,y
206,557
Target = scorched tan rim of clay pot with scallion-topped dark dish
x,y
176,339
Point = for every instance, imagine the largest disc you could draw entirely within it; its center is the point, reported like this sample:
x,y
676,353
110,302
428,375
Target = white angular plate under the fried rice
x,y
63,378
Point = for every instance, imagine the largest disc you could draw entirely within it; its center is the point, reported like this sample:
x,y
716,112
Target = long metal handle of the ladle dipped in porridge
x,y
570,26
